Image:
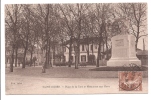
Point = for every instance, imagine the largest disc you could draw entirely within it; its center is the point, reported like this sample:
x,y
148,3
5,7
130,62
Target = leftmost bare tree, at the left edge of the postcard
x,y
12,18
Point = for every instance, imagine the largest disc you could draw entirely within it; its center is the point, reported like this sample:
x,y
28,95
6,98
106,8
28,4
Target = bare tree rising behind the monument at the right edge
x,y
136,14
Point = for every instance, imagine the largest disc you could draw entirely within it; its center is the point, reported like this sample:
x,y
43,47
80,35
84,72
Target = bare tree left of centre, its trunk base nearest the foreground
x,y
47,15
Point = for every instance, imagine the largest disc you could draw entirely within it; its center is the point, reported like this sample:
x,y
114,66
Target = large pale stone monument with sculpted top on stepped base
x,y
123,47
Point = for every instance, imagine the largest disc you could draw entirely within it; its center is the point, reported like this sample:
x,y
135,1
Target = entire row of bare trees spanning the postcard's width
x,y
28,25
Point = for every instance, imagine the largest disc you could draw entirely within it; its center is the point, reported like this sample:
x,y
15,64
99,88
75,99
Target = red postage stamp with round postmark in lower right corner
x,y
130,81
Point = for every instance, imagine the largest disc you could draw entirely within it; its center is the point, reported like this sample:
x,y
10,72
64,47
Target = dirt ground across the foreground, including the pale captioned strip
x,y
64,80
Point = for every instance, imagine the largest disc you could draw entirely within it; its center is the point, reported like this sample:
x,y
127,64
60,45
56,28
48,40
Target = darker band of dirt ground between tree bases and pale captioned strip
x,y
66,72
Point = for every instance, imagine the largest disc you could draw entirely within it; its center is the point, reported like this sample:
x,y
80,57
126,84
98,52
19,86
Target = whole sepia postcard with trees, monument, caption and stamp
x,y
76,48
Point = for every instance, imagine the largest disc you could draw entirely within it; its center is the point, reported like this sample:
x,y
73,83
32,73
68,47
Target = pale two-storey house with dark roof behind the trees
x,y
88,50
